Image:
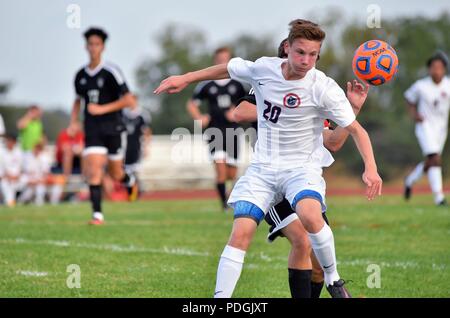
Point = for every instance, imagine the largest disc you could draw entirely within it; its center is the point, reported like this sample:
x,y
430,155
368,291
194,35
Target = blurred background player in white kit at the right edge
x,y
429,102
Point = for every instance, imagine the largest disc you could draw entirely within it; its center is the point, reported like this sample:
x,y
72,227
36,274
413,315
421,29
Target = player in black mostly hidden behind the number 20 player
x,y
283,220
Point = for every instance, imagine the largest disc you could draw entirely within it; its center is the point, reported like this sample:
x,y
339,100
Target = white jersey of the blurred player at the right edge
x,y
432,100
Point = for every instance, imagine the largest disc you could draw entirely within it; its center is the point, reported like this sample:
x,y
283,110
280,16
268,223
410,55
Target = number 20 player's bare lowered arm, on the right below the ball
x,y
370,177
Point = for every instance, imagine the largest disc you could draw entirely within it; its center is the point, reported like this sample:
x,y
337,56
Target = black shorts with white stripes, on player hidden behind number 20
x,y
280,216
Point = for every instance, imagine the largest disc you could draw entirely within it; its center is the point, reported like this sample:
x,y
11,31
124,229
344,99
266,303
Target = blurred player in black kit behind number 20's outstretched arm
x,y
222,97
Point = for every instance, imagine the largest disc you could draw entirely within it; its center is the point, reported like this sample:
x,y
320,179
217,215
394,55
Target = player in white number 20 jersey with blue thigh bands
x,y
293,99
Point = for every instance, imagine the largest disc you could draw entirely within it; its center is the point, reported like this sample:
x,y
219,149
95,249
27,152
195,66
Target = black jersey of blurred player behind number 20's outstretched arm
x,y
220,96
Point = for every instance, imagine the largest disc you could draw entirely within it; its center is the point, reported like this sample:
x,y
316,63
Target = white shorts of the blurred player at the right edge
x,y
431,139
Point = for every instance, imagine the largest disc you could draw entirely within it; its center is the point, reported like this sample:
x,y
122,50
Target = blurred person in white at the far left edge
x,y
10,170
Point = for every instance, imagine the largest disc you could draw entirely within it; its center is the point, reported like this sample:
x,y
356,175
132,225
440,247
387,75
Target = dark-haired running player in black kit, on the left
x,y
101,89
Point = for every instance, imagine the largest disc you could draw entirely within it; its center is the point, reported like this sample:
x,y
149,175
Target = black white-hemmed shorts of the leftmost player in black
x,y
108,139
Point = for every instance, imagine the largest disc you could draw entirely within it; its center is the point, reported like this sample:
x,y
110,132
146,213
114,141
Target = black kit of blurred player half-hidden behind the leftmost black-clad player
x,y
135,123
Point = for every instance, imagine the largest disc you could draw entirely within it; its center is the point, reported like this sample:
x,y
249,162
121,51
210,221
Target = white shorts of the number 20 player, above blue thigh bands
x,y
265,187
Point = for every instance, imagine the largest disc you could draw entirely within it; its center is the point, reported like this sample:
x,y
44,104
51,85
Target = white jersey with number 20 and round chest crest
x,y
291,113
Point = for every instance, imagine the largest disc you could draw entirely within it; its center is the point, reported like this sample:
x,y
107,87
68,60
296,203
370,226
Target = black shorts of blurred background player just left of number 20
x,y
223,147
